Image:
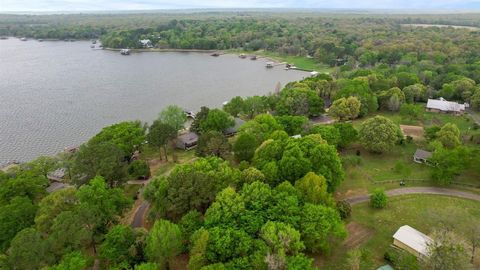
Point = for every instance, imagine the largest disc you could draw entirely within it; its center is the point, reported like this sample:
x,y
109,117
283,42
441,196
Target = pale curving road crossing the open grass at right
x,y
419,190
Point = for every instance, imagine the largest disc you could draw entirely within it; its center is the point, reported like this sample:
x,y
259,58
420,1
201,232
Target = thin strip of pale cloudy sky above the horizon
x,y
99,5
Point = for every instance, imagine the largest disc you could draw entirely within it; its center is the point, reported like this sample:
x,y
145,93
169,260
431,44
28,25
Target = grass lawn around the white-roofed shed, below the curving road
x,y
423,212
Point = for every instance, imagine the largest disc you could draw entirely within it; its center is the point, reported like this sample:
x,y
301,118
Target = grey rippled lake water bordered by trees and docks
x,y
59,94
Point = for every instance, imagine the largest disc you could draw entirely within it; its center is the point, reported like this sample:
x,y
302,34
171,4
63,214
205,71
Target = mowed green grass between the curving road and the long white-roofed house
x,y
398,164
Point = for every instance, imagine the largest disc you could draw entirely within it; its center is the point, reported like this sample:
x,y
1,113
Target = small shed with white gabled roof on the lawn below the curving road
x,y
412,241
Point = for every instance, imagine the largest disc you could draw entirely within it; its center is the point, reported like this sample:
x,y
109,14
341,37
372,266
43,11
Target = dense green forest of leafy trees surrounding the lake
x,y
265,198
